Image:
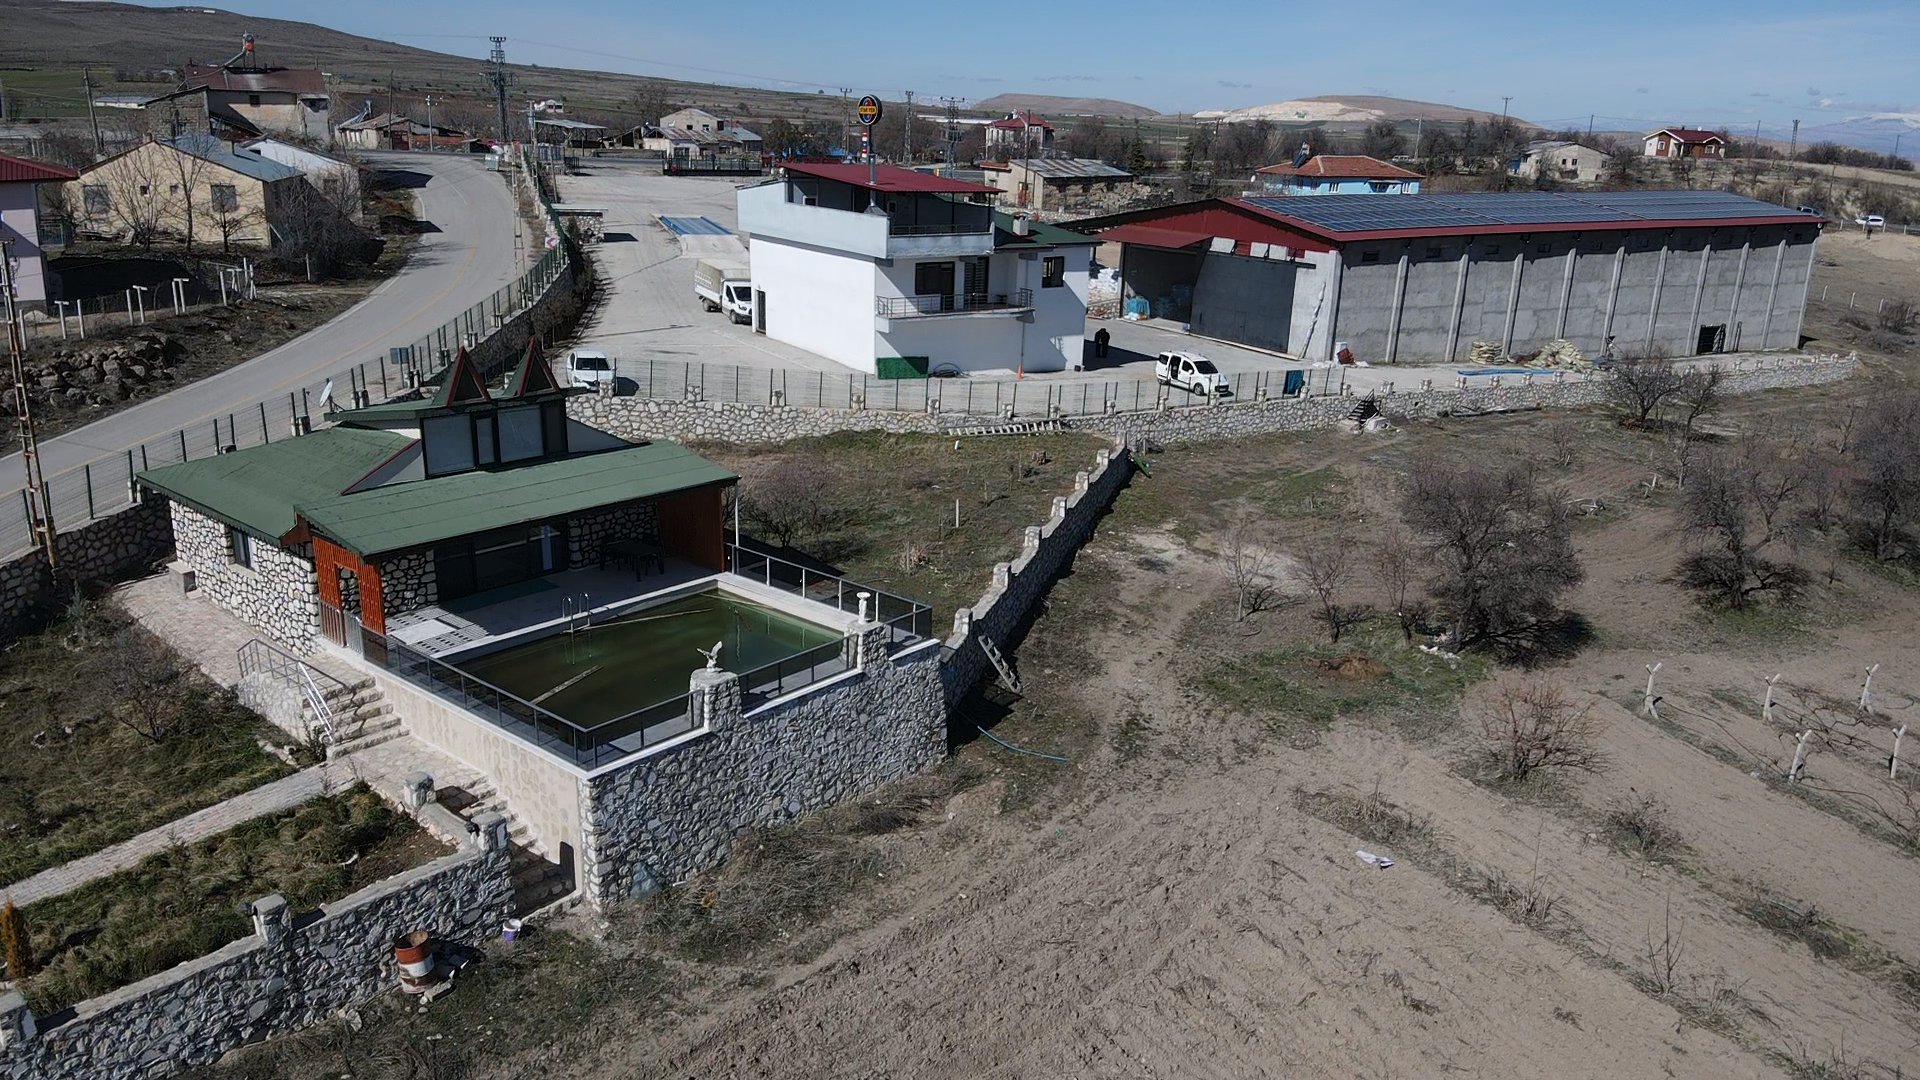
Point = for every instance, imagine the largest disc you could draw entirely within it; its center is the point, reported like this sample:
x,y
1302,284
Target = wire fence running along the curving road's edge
x,y
107,487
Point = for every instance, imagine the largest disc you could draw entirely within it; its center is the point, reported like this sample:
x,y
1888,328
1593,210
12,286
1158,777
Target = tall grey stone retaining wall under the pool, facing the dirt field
x,y
677,810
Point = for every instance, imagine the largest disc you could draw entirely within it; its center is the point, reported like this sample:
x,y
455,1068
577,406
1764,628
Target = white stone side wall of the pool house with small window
x,y
277,595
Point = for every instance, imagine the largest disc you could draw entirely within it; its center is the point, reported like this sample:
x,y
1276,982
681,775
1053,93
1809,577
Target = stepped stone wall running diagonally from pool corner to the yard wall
x,y
1017,587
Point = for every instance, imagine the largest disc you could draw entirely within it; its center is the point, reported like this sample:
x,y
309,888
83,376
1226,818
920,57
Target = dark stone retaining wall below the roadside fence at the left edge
x,y
101,551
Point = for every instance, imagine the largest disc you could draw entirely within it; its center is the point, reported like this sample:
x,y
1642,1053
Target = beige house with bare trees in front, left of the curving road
x,y
189,187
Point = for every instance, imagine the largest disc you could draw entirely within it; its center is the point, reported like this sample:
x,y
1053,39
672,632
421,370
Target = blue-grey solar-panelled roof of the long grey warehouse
x,y
1366,216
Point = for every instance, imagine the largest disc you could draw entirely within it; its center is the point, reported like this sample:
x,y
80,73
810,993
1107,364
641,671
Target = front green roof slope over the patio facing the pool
x,y
425,512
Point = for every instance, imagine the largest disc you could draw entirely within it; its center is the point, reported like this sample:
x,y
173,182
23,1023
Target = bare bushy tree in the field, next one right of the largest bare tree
x,y
1739,506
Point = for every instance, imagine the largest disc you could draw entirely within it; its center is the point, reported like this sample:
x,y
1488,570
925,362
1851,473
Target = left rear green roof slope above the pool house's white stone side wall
x,y
258,487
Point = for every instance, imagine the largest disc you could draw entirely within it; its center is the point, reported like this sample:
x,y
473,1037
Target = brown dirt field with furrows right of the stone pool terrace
x,y
1163,881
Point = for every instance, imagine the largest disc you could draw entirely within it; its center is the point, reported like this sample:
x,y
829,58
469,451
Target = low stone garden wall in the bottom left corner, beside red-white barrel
x,y
287,977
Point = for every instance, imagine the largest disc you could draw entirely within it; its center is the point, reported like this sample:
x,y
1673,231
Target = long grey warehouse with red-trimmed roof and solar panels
x,y
1420,278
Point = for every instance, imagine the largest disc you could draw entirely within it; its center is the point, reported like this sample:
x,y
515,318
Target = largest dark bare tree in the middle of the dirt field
x,y
1500,551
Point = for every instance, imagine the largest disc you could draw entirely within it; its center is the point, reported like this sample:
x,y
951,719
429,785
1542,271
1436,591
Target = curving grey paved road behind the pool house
x,y
450,270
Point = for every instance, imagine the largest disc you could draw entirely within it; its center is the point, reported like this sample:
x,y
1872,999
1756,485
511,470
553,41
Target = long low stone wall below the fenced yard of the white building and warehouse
x,y
729,422
